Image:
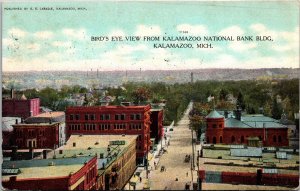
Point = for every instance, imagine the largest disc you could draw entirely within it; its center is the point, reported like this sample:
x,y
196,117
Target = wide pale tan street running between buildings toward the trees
x,y
178,172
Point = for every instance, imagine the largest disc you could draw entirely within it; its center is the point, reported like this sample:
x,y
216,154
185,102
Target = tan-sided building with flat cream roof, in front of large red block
x,y
116,155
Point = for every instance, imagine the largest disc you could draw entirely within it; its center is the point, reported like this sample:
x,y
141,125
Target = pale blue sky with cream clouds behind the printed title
x,y
60,40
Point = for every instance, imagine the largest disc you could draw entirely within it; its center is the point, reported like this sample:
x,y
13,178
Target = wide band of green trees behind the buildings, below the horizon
x,y
252,96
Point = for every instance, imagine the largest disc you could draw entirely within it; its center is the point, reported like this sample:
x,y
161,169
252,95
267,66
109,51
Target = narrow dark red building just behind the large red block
x,y
156,127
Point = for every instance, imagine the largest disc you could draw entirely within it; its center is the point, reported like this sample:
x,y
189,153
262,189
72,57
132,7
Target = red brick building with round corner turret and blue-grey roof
x,y
243,129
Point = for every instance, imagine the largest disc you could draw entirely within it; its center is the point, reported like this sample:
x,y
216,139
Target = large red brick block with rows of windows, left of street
x,y
112,120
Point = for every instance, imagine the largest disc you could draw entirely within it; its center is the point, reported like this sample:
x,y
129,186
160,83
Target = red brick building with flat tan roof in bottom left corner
x,y
51,174
